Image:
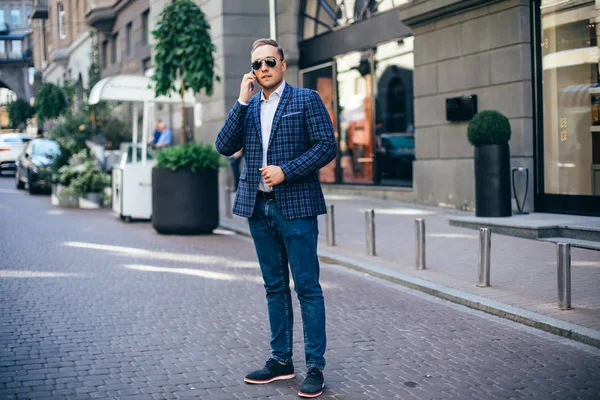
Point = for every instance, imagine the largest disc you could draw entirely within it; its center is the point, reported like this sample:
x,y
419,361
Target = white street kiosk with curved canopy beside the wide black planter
x,y
132,178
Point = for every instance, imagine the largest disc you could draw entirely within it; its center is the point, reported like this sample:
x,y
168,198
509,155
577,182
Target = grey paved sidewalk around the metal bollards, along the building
x,y
523,271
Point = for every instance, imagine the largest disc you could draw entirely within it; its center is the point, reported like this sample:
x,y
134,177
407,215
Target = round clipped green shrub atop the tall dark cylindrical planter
x,y
489,127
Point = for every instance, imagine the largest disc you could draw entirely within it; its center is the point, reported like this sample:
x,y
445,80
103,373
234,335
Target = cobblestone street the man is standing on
x,y
91,307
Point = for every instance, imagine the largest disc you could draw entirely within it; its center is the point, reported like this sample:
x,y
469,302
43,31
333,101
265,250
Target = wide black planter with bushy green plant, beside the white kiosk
x,y
185,189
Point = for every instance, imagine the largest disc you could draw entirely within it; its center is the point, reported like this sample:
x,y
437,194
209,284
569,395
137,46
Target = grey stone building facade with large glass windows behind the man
x,y
389,72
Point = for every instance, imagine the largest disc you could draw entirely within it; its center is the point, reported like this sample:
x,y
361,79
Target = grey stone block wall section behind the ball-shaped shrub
x,y
466,48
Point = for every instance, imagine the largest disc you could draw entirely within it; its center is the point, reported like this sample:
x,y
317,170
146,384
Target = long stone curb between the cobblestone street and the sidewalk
x,y
549,324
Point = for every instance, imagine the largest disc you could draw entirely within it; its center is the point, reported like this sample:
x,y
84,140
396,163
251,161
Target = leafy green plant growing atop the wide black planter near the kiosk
x,y
192,156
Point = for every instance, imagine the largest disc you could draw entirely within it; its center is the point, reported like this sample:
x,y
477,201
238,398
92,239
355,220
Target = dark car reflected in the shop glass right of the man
x,y
396,155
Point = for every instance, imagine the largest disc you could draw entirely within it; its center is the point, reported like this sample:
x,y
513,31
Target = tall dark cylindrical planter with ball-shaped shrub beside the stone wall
x,y
489,131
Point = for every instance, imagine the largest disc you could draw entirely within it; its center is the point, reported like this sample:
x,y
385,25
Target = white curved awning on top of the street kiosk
x,y
133,88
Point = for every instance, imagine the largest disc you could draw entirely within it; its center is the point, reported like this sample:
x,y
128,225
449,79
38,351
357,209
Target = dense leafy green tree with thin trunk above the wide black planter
x,y
184,50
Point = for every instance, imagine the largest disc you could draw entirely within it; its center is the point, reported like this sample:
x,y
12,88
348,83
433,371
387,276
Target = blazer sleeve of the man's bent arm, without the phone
x,y
323,146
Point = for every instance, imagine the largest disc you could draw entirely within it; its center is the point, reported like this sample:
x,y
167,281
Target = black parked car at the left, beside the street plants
x,y
33,165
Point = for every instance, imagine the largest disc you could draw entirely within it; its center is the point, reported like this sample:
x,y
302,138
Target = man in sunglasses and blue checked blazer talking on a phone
x,y
287,137
